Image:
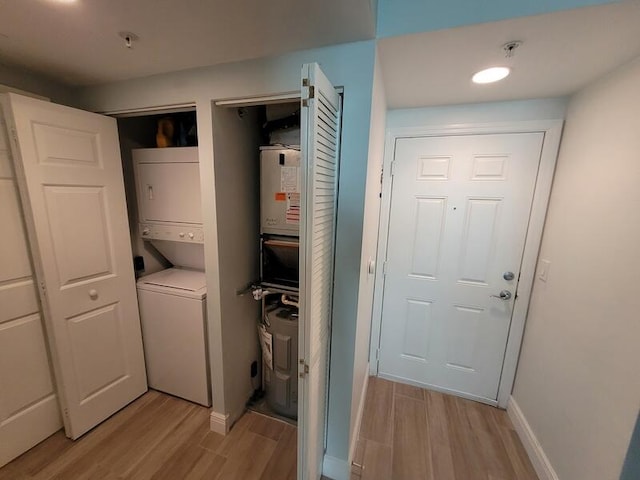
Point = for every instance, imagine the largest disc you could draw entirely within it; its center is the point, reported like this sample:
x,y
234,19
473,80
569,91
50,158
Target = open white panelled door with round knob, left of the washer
x,y
70,177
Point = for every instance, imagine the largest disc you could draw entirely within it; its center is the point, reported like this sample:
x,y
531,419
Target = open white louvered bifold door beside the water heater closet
x,y
320,146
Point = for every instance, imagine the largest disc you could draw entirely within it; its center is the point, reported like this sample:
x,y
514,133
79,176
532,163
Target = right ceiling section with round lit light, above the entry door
x,y
562,52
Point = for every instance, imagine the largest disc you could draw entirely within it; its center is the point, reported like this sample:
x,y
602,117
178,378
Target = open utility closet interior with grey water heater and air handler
x,y
257,186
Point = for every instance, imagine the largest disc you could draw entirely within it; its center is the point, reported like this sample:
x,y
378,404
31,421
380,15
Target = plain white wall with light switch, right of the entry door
x,y
577,381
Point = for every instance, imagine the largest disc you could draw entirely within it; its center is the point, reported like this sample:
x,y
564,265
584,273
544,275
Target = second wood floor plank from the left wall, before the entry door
x,y
411,457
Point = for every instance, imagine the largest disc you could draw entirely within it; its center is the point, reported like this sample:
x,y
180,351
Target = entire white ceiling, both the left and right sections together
x,y
78,44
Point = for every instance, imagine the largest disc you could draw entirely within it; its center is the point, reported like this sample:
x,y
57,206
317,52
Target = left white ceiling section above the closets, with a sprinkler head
x,y
78,43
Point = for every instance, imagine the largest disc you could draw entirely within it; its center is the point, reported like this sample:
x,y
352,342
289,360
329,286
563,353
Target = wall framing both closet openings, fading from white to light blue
x,y
349,66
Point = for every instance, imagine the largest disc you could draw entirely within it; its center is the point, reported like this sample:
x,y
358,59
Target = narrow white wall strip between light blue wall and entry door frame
x,y
369,251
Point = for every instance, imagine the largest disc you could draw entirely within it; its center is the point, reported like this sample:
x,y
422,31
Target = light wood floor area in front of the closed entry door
x,y
409,433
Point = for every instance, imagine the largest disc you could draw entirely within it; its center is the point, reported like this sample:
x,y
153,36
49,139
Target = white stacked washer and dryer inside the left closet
x,y
173,301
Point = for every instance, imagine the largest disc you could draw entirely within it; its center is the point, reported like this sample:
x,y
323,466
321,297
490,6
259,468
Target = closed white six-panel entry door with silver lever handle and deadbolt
x,y
460,208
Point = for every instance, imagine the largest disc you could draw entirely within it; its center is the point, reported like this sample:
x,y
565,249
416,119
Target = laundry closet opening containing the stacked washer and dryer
x,y
161,170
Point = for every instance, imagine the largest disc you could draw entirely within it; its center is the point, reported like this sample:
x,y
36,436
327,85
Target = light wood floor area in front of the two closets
x,y
160,437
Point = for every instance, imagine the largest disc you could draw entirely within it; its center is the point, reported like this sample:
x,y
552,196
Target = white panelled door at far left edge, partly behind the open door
x,y
29,410
